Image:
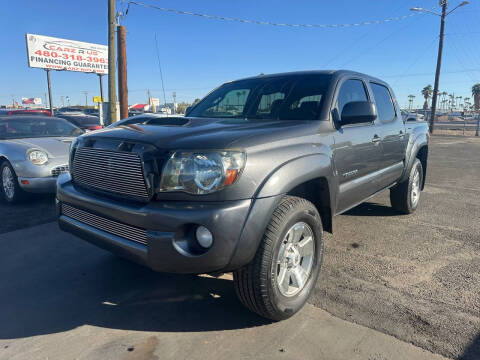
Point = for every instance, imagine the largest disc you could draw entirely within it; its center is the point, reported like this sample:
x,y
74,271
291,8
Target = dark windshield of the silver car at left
x,y
32,127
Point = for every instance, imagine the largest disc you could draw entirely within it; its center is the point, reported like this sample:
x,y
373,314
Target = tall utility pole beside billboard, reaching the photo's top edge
x,y
112,96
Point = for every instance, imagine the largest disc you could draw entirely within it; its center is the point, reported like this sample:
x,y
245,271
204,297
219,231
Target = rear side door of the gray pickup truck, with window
x,y
392,133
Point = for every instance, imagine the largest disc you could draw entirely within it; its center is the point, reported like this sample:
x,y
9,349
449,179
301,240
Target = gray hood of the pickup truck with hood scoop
x,y
202,133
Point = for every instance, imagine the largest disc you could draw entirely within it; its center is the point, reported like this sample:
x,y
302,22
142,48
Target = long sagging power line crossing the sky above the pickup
x,y
260,22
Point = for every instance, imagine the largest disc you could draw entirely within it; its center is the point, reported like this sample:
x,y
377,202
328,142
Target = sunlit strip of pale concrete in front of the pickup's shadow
x,y
312,334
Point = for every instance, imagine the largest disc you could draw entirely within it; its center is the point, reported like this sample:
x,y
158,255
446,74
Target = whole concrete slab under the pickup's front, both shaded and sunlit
x,y
65,299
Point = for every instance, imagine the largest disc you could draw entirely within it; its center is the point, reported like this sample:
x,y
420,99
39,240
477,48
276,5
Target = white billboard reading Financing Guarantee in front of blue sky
x,y
47,52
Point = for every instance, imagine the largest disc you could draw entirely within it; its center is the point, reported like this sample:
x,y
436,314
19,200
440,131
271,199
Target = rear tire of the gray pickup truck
x,y
401,194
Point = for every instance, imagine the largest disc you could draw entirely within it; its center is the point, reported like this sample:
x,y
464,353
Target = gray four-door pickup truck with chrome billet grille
x,y
247,181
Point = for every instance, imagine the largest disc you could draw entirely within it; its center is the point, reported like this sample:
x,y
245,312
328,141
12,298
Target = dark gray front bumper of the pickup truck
x,y
170,228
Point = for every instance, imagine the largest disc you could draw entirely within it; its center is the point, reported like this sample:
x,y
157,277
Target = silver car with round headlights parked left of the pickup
x,y
33,152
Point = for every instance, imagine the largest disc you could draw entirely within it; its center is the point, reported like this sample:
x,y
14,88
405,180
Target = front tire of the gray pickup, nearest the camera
x,y
256,283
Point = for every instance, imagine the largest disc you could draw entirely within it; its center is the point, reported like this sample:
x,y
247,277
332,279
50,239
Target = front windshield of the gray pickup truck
x,y
298,97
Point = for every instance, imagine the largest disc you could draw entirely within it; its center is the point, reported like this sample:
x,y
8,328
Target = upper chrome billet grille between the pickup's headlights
x,y
111,171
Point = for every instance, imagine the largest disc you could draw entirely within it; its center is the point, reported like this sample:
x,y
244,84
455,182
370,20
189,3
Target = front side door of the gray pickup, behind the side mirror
x,y
357,151
